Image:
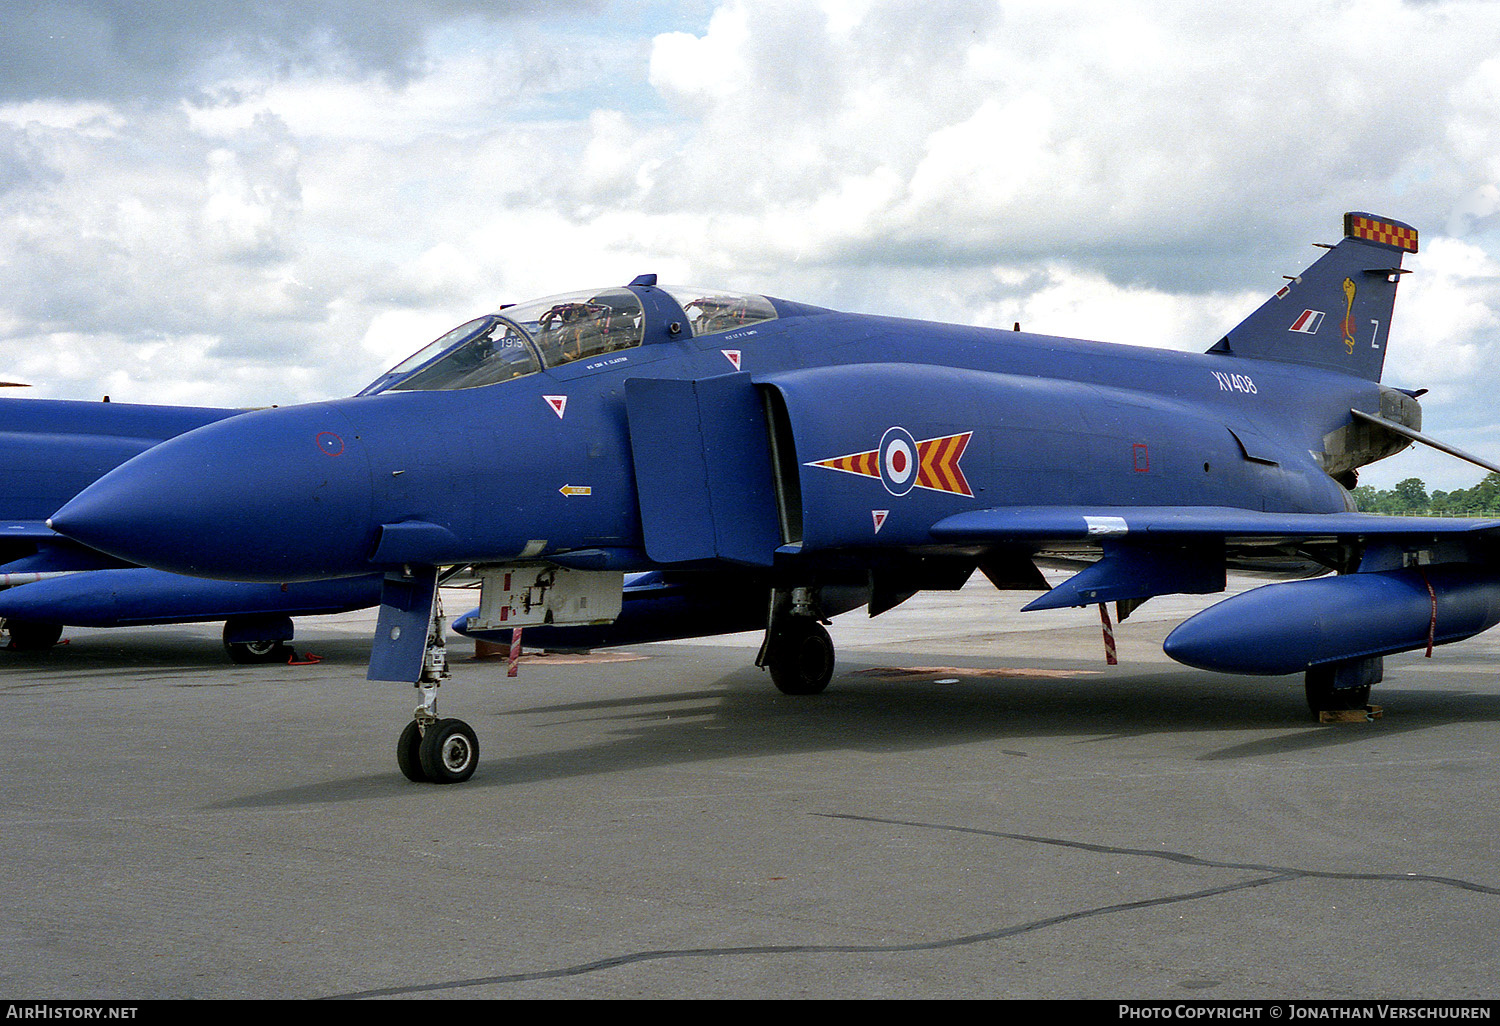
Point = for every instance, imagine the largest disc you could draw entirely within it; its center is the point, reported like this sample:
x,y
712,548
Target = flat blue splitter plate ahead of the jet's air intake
x,y
703,461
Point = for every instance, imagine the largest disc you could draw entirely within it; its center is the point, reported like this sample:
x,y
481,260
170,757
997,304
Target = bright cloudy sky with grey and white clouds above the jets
x,y
272,200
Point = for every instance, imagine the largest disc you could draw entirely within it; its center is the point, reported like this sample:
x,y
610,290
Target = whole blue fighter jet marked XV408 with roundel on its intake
x,y
755,463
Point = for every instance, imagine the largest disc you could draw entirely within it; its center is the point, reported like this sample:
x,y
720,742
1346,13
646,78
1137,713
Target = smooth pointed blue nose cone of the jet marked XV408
x,y
268,496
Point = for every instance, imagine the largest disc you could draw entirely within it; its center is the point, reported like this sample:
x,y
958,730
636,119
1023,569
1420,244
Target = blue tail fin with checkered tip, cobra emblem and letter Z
x,y
1337,313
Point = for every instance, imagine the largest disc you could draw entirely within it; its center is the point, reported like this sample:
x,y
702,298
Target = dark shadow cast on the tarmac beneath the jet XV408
x,y
742,716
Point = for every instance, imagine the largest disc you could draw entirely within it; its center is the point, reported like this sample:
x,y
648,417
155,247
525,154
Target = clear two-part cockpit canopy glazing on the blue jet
x,y
526,338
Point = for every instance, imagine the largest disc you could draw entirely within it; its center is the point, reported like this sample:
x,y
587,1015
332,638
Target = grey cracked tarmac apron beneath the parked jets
x,y
977,808
